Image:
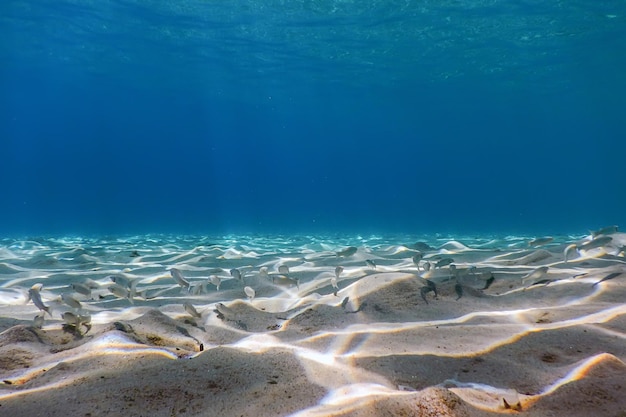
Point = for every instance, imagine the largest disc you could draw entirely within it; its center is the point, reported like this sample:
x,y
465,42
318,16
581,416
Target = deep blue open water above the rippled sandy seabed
x,y
312,116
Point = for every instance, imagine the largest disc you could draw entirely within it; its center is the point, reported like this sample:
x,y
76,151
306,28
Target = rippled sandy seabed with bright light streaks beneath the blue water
x,y
161,325
